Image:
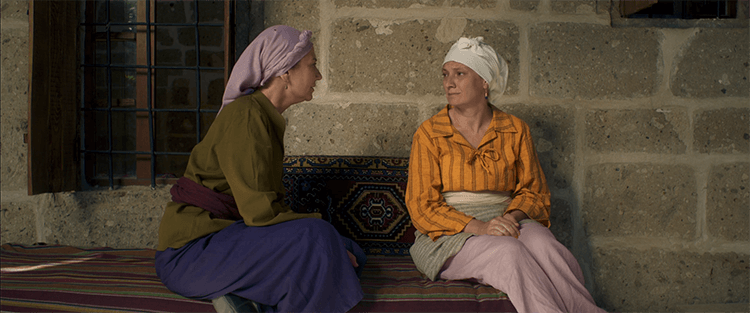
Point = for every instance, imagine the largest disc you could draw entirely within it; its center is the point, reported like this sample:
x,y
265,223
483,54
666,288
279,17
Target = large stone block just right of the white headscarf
x,y
587,61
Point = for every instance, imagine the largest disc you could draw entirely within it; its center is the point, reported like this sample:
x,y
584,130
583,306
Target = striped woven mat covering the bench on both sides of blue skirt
x,y
69,279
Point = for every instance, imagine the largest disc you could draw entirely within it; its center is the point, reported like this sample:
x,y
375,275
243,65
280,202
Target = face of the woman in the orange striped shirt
x,y
463,86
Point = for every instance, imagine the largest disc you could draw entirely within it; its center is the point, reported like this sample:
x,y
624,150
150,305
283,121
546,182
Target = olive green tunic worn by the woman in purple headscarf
x,y
242,155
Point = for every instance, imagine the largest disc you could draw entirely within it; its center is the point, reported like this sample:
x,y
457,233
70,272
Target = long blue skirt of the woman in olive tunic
x,y
295,266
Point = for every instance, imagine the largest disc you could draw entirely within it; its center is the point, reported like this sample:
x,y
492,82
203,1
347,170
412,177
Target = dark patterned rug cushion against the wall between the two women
x,y
363,197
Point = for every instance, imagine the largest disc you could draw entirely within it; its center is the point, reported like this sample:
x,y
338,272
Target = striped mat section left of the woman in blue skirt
x,y
68,279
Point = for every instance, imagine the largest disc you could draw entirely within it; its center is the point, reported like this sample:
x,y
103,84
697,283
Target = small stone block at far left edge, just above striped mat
x,y
18,222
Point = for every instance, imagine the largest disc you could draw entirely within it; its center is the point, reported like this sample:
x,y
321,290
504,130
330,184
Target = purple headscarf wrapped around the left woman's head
x,y
276,50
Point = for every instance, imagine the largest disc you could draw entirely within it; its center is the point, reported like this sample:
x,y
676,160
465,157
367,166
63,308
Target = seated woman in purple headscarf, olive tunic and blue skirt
x,y
227,233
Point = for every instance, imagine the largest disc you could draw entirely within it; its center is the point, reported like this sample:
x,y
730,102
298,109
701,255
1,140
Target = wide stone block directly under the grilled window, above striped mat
x,y
125,218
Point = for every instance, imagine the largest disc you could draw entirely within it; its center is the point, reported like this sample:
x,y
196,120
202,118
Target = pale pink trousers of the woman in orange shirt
x,y
536,271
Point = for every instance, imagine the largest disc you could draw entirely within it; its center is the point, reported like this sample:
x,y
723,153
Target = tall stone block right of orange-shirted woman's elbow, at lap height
x,y
640,200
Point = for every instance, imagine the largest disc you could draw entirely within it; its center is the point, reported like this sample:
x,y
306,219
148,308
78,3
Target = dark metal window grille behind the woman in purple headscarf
x,y
153,76
